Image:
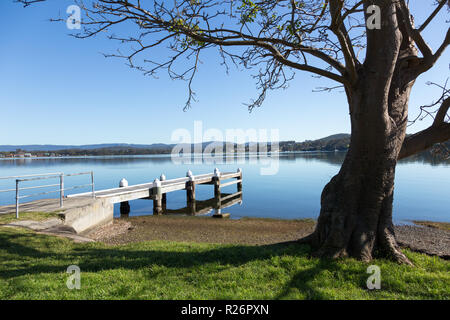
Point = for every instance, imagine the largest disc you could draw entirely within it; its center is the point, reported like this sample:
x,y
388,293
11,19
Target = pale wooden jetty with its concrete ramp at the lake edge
x,y
83,212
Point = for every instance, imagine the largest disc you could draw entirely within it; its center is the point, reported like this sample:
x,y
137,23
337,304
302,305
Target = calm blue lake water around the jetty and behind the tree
x,y
422,186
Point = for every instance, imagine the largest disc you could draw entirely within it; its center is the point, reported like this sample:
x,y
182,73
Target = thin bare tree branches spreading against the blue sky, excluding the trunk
x,y
274,37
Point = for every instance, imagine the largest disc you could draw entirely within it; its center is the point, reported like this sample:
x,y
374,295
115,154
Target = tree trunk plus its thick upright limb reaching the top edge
x,y
356,205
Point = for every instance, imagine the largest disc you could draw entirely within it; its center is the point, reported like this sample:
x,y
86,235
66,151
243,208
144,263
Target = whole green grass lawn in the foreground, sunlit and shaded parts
x,y
34,266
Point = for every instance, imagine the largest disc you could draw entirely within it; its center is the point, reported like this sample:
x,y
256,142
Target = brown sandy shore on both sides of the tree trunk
x,y
250,231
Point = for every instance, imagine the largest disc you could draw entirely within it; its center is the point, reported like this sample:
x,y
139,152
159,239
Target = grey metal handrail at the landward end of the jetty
x,y
36,177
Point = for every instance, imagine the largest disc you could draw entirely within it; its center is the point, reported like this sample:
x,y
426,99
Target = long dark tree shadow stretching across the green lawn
x,y
39,254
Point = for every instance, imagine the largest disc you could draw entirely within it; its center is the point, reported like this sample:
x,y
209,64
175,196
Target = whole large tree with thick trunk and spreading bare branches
x,y
371,48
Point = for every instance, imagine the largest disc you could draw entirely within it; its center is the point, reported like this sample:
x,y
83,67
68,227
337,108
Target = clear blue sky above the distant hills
x,y
55,89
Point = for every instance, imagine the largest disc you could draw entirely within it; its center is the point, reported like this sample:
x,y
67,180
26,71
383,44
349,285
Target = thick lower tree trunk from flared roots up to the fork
x,y
356,205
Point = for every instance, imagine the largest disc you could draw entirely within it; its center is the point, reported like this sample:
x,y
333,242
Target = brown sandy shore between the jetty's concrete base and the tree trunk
x,y
203,229
